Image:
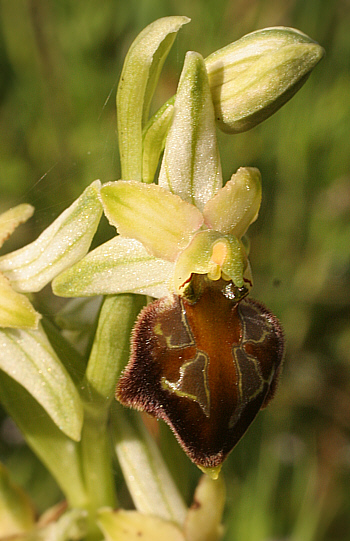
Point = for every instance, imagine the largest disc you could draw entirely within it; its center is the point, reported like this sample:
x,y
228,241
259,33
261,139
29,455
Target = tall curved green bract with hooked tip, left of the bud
x,y
138,80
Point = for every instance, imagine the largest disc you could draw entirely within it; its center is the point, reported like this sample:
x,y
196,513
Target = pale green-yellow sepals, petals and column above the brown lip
x,y
178,227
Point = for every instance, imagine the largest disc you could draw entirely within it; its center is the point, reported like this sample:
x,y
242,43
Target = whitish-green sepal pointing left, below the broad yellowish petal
x,y
118,266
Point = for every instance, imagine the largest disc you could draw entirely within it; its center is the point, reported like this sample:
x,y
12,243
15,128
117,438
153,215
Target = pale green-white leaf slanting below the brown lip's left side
x,y
149,481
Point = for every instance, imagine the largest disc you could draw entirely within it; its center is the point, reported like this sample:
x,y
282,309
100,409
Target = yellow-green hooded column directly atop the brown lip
x,y
199,258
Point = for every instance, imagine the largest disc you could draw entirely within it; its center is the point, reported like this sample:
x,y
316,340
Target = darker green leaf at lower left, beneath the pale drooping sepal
x,y
60,454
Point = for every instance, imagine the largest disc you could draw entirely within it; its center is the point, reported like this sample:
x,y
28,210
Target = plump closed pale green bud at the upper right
x,y
253,77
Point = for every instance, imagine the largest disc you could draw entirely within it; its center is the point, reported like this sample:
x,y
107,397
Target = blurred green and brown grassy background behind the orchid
x,y
289,478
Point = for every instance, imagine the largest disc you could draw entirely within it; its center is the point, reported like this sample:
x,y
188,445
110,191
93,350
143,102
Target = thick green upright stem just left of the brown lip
x,y
109,355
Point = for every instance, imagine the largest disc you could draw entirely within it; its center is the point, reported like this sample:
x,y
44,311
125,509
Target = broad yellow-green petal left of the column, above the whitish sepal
x,y
162,221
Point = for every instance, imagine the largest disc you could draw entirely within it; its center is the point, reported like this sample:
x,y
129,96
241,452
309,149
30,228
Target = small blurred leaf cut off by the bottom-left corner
x,y
16,510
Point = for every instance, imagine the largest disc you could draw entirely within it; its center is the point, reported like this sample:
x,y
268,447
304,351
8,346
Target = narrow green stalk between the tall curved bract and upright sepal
x,y
154,136
